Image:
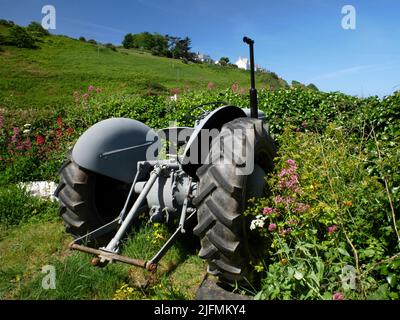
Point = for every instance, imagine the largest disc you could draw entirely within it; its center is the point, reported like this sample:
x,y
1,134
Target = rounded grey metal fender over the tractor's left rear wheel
x,y
113,147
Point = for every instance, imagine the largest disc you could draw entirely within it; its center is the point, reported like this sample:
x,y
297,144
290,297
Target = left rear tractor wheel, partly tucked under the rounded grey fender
x,y
88,200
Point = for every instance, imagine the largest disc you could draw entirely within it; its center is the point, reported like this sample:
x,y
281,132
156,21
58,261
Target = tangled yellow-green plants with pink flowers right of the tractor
x,y
325,214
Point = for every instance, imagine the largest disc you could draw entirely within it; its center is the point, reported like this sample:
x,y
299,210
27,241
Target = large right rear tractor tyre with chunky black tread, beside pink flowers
x,y
223,195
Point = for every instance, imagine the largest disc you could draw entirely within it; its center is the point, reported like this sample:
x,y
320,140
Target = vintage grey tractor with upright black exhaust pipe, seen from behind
x,y
114,174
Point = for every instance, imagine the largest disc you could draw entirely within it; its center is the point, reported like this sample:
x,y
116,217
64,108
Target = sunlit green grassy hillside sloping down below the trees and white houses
x,y
46,77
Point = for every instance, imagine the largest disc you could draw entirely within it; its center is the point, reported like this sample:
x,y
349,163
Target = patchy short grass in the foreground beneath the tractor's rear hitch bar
x,y
25,250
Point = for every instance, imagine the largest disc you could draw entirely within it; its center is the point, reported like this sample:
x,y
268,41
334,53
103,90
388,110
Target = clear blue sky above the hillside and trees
x,y
298,39
